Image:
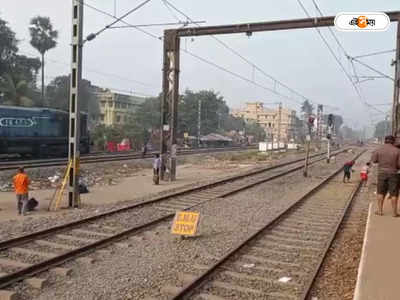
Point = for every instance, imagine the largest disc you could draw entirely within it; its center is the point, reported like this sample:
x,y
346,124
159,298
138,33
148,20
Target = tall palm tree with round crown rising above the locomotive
x,y
43,38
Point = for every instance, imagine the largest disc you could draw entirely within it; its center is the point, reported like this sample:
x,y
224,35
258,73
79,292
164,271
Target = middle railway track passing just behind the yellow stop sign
x,y
28,255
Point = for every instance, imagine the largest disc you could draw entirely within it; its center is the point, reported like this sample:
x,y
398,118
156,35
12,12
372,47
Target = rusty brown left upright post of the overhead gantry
x,y
169,106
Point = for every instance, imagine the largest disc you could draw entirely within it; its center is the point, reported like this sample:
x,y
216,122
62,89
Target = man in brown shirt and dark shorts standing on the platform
x,y
388,159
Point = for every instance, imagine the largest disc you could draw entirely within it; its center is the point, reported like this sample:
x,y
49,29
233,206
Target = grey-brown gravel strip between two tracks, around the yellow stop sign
x,y
155,257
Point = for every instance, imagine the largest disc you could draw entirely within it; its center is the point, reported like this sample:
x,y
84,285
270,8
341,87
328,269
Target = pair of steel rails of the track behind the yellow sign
x,y
19,275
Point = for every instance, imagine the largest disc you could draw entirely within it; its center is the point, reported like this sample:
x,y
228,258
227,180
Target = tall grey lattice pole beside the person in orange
x,y
74,110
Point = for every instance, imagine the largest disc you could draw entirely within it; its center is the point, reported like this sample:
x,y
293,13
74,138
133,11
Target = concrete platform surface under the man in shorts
x,y
379,269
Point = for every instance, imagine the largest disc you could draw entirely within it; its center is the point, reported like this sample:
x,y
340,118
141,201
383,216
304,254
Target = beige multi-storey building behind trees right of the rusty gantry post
x,y
268,119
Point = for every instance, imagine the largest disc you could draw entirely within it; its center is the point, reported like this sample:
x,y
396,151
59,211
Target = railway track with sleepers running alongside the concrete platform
x,y
280,259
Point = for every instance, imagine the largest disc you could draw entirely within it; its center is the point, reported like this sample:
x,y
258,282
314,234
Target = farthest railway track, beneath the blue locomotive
x,y
87,159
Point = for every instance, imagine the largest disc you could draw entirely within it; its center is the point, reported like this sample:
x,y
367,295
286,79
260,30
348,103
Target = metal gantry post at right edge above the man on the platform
x,y
396,93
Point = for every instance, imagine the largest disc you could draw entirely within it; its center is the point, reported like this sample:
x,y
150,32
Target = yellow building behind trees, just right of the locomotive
x,y
115,108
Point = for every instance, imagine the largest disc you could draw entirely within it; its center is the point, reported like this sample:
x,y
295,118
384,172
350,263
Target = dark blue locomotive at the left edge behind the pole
x,y
37,131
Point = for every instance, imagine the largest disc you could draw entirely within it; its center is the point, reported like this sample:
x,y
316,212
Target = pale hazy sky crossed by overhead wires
x,y
126,59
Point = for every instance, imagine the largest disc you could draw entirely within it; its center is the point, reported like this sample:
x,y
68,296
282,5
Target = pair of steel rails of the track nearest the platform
x,y
200,280
